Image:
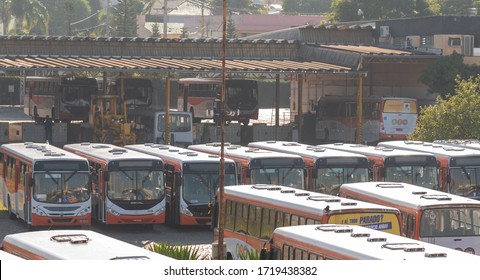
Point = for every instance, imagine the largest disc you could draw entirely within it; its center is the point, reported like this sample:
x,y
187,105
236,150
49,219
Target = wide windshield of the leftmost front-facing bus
x,y
61,187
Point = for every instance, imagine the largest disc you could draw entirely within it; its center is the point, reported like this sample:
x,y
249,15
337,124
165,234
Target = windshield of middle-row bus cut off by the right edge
x,y
464,181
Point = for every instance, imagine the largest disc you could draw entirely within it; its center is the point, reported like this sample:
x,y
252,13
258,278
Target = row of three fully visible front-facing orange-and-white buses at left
x,y
139,184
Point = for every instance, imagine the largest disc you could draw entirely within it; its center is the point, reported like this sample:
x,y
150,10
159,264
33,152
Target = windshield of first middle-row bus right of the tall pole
x,y
285,176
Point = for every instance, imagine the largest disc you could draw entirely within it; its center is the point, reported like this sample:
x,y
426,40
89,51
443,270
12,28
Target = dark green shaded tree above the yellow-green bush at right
x,y
440,75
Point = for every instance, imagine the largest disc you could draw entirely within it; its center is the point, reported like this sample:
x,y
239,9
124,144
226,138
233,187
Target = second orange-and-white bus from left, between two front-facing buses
x,y
127,186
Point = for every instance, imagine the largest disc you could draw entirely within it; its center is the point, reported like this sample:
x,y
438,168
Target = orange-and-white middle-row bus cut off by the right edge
x,y
459,166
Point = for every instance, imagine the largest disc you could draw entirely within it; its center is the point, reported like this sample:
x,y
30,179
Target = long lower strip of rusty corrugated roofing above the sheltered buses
x,y
145,64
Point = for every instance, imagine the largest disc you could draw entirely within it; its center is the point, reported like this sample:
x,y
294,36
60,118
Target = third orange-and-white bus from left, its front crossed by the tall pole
x,y
192,179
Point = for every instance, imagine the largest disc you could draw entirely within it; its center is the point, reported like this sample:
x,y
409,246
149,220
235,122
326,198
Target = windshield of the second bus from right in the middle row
x,y
424,176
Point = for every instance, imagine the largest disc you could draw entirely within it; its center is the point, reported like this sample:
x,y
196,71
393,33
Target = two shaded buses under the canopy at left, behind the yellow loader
x,y
68,98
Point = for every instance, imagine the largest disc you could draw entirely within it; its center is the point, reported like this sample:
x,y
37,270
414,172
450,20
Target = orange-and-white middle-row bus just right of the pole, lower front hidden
x,y
260,166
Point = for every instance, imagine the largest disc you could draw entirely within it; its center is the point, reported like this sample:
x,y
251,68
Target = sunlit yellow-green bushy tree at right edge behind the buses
x,y
452,117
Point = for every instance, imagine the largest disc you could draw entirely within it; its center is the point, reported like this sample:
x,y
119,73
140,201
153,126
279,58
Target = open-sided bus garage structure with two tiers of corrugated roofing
x,y
348,69
